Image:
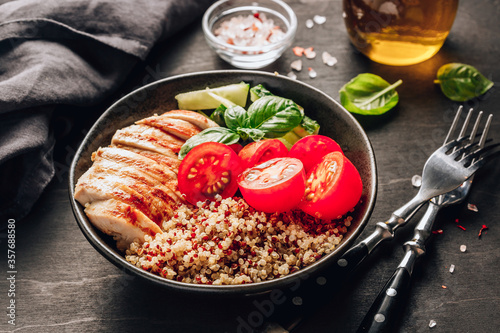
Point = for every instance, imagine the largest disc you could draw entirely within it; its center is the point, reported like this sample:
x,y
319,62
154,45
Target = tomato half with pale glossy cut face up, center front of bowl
x,y
276,185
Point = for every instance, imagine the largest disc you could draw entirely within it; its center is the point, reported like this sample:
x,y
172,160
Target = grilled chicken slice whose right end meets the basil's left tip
x,y
148,138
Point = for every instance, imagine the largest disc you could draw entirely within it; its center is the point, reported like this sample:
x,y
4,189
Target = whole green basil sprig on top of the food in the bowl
x,y
268,117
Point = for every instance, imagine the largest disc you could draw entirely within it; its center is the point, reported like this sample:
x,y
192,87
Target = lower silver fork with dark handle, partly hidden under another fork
x,y
386,308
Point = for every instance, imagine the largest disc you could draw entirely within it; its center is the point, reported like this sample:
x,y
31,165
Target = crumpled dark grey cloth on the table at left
x,y
62,52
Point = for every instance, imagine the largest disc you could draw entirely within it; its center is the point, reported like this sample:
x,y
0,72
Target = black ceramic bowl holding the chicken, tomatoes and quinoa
x,y
157,97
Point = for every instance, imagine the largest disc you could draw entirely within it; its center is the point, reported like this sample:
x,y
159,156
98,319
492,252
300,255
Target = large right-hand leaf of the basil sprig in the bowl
x,y
274,115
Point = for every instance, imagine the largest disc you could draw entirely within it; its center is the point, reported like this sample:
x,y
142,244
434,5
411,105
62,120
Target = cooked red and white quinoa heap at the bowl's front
x,y
228,242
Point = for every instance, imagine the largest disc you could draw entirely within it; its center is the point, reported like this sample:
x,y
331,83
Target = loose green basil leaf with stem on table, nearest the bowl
x,y
369,94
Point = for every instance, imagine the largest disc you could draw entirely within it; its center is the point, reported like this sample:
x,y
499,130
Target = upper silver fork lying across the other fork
x,y
446,169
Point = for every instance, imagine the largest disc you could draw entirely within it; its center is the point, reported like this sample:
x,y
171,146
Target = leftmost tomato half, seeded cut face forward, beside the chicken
x,y
209,169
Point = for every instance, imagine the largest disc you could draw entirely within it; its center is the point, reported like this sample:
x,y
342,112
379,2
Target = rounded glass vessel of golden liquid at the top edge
x,y
399,32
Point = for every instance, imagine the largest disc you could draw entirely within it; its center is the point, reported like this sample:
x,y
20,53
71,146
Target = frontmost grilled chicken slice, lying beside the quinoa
x,y
121,221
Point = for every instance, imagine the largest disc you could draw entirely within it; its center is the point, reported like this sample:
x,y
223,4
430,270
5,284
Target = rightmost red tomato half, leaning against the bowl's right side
x,y
333,187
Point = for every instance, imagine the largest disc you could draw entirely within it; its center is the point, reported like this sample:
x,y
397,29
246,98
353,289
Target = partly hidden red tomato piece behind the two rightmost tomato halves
x,y
312,148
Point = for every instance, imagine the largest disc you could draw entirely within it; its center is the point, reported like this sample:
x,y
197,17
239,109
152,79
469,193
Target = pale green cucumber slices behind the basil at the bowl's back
x,y
204,100
